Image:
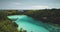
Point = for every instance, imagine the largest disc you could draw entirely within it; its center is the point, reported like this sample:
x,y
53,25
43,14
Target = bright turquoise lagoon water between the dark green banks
x,y
30,24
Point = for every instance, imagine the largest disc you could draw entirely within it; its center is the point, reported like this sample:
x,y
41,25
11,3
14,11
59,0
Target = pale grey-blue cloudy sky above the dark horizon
x,y
29,4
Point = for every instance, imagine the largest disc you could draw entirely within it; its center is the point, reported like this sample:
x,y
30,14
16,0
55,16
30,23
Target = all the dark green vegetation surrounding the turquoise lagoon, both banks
x,y
45,15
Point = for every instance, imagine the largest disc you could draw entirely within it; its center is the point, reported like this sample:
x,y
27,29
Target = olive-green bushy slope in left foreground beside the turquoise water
x,y
7,25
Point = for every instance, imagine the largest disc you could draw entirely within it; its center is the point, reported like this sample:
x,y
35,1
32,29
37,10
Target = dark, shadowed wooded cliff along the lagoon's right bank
x,y
47,15
